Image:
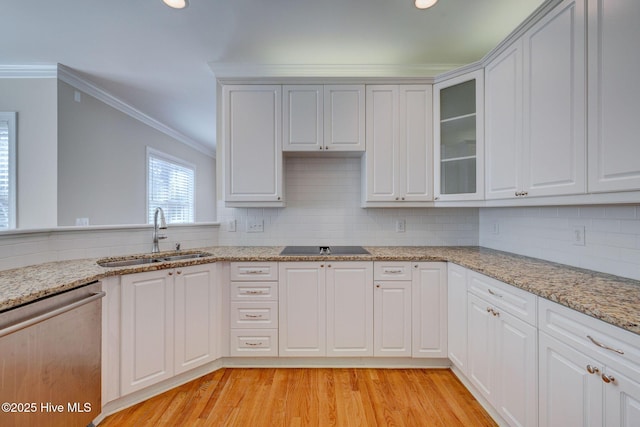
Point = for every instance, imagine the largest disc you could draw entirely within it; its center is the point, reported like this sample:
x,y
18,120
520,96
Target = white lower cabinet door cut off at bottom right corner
x,y
622,400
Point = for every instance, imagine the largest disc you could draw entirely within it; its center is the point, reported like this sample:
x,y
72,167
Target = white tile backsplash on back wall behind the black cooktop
x,y
323,207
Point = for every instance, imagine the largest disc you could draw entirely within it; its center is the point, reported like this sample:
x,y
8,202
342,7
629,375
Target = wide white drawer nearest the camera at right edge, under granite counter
x,y
575,328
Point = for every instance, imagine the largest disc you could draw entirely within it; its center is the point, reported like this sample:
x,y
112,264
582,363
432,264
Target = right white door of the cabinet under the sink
x,y
196,311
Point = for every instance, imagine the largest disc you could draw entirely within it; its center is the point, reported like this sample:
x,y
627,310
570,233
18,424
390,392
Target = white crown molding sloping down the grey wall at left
x,y
72,78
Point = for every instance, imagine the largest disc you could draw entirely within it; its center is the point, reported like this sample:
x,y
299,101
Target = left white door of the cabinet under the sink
x,y
147,329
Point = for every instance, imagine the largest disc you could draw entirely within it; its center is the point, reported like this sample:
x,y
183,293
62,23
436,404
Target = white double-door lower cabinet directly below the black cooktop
x,y
326,309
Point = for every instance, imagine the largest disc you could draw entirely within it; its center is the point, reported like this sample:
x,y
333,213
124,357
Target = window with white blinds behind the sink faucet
x,y
170,186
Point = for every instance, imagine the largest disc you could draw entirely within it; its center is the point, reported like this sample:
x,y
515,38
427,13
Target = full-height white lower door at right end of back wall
x,y
429,310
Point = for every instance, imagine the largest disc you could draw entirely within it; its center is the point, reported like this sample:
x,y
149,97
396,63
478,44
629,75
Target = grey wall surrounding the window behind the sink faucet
x,y
102,163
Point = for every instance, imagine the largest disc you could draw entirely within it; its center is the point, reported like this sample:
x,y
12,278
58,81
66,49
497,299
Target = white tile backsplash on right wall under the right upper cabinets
x,y
612,237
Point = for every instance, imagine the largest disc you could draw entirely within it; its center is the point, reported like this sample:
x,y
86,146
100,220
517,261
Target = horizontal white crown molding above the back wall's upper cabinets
x,y
228,70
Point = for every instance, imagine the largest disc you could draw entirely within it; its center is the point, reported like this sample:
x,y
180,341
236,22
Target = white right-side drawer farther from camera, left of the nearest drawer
x,y
516,302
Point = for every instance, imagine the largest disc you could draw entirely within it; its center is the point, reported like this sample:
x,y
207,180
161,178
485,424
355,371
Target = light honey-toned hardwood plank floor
x,y
311,397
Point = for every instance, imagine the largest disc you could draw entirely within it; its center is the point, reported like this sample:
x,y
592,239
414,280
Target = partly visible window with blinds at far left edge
x,y
7,171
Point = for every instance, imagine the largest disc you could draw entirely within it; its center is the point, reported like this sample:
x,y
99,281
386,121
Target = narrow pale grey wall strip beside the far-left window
x,y
34,99
